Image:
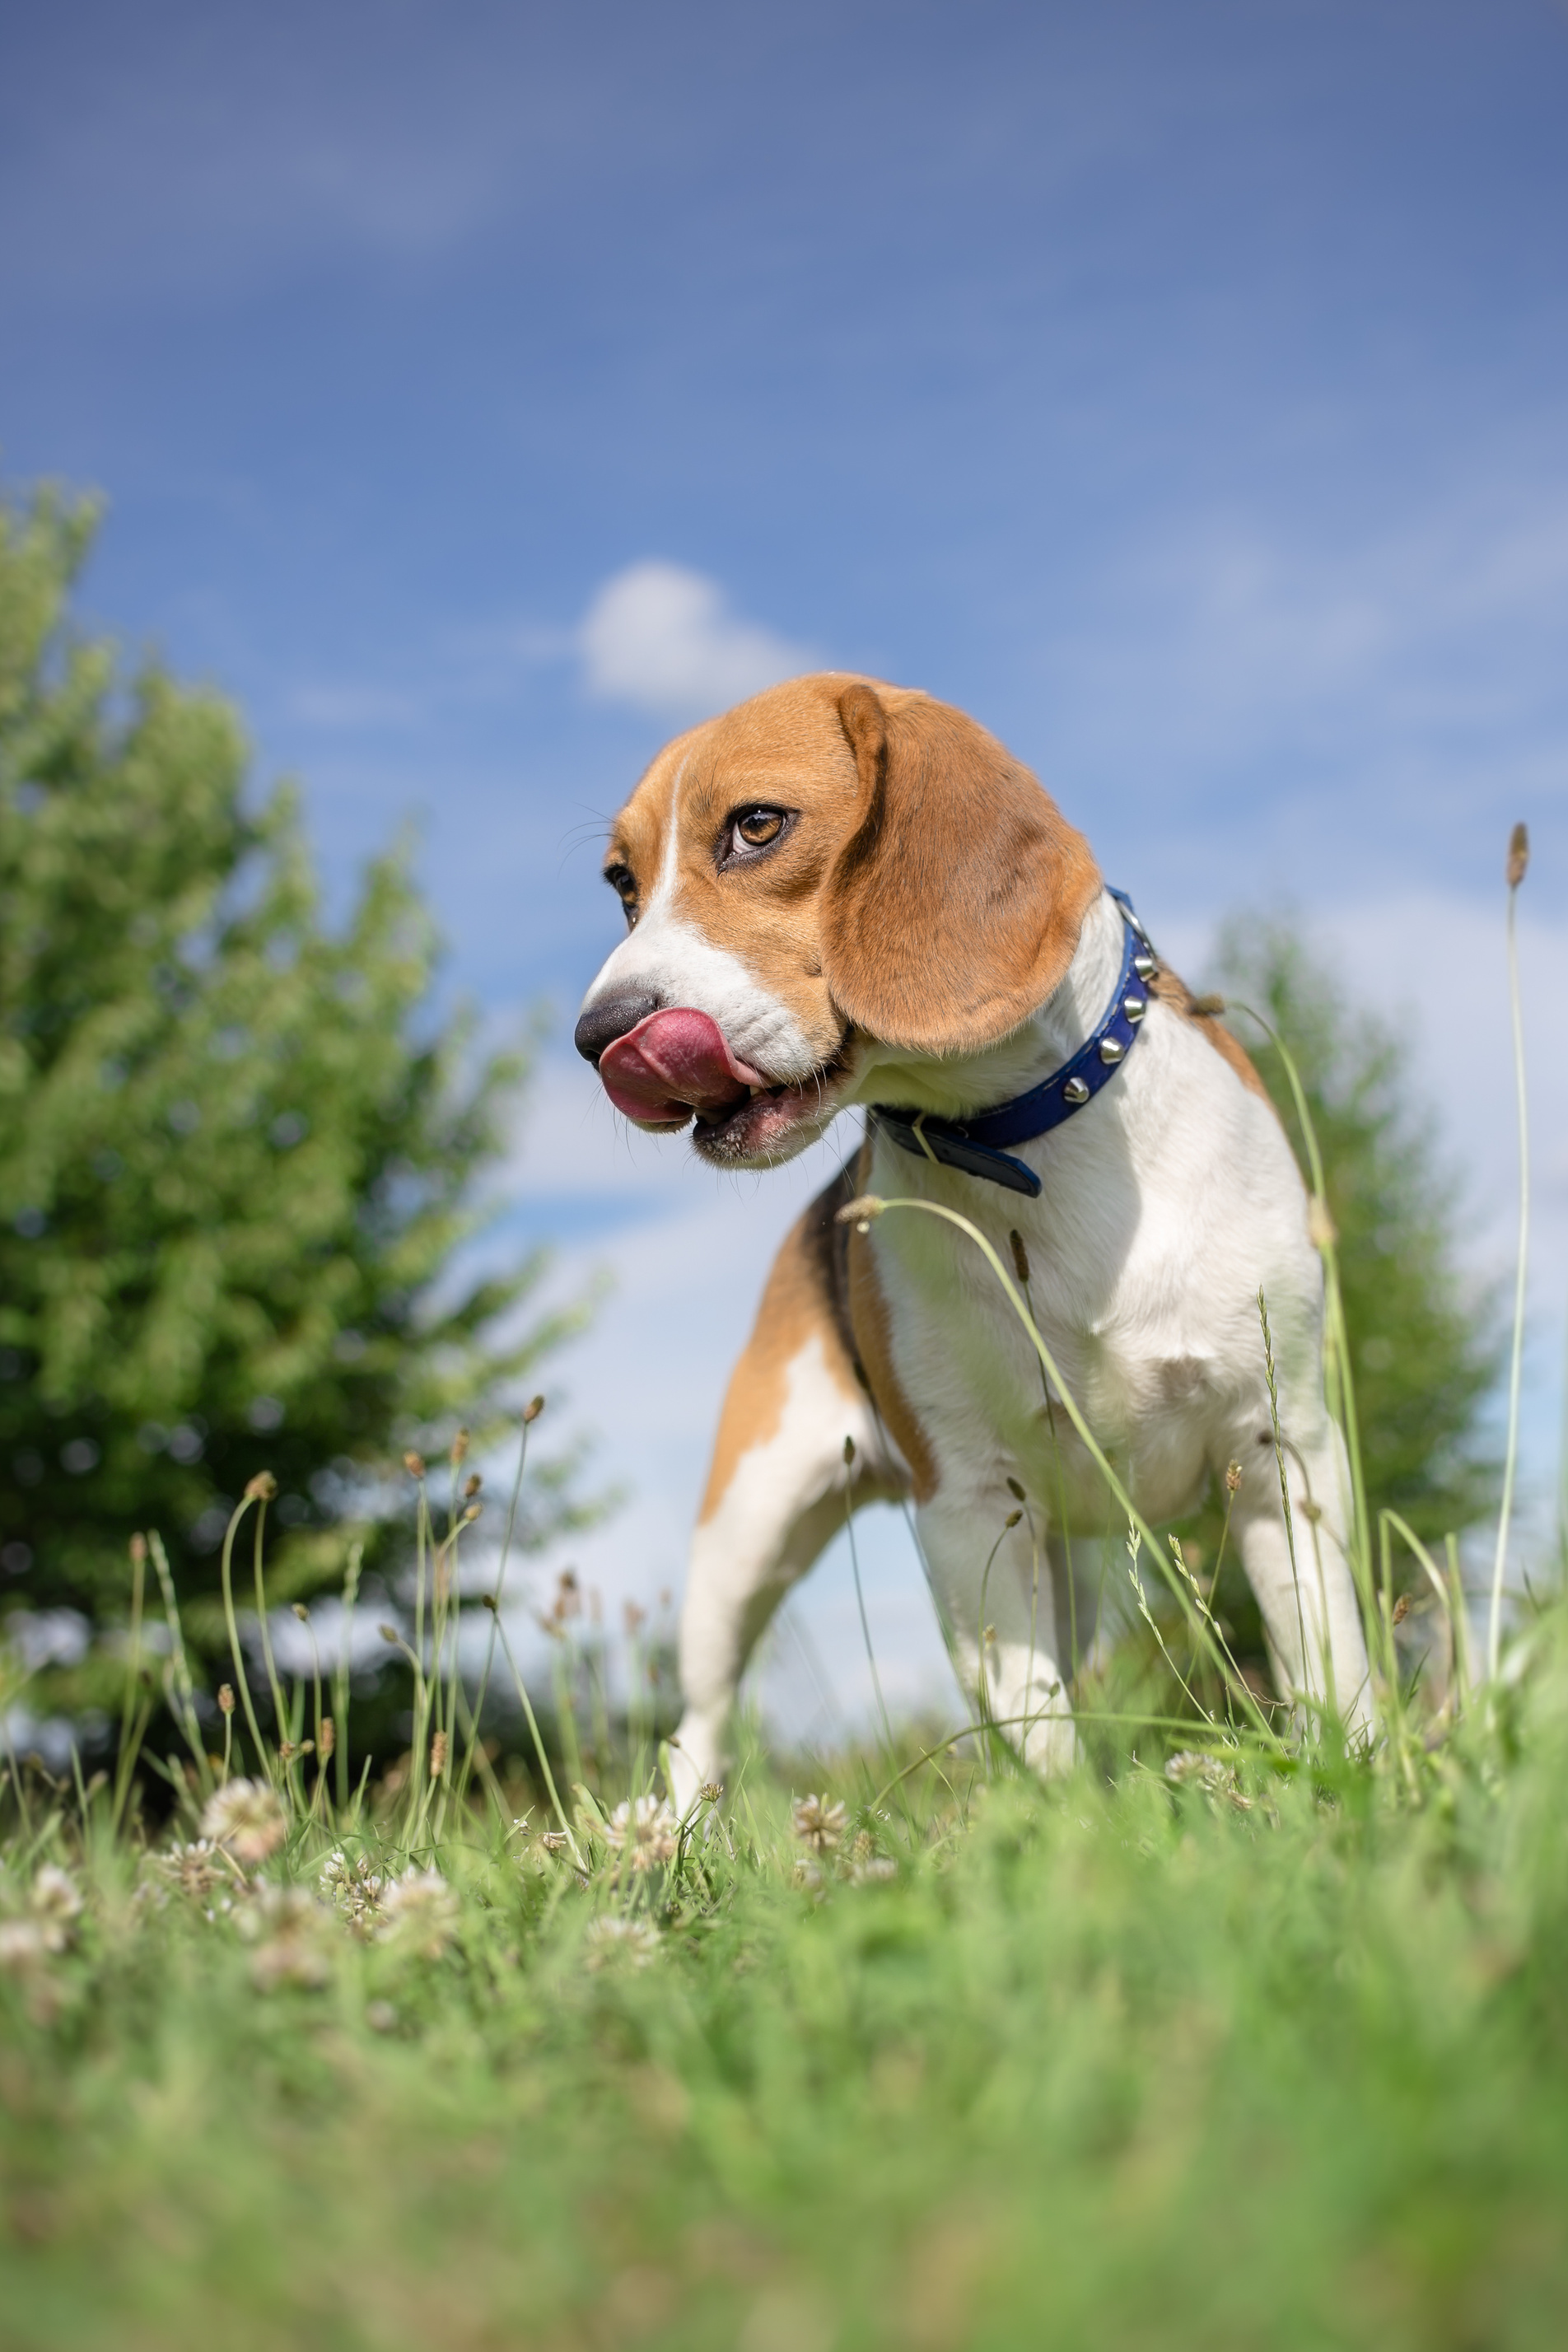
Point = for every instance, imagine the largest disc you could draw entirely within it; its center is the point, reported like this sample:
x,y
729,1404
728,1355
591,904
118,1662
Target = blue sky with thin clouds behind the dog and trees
x,y
483,392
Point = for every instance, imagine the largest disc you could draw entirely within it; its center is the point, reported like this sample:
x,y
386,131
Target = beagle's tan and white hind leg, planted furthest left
x,y
779,1481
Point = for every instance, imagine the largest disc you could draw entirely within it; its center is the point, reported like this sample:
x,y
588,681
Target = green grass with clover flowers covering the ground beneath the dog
x,y
1111,2064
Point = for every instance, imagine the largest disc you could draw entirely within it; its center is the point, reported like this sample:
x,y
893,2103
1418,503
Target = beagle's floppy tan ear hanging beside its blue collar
x,y
956,907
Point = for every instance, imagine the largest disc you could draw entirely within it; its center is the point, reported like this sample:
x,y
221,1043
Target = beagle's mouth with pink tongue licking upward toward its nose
x,y
678,1067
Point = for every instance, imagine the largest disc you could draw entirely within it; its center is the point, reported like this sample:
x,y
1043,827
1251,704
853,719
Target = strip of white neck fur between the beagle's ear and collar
x,y
970,1083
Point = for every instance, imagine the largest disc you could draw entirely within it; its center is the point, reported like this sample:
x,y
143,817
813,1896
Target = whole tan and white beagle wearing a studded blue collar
x,y
850,895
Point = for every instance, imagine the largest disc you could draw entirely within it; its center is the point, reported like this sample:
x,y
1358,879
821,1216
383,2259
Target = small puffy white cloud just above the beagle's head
x,y
666,641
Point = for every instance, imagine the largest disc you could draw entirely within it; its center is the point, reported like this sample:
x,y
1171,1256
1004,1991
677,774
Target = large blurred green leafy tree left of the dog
x,y
236,1149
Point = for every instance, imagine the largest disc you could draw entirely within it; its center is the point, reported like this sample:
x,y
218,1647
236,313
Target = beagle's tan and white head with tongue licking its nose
x,y
829,867
